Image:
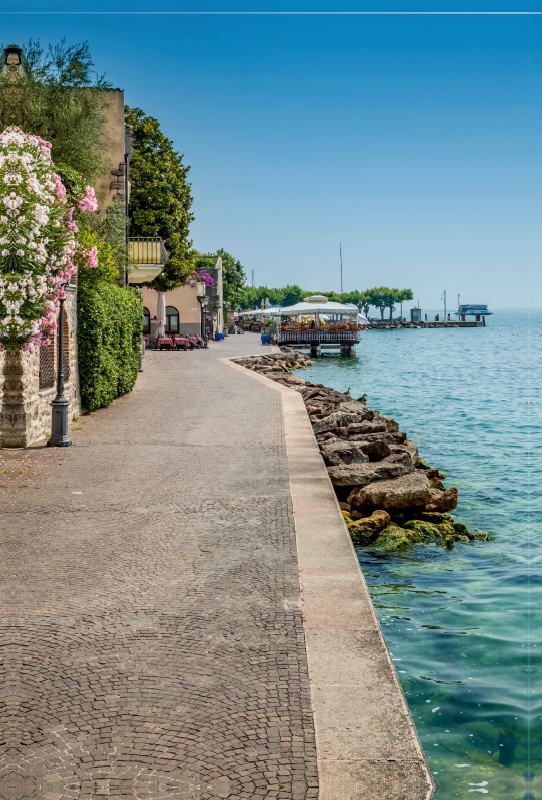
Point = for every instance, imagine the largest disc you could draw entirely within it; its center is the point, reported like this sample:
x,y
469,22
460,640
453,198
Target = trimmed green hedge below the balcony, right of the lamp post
x,y
109,330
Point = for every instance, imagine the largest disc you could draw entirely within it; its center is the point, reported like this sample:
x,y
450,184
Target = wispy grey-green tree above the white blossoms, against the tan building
x,y
58,96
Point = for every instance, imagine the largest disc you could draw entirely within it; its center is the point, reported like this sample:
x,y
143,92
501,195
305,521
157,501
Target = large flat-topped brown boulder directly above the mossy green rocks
x,y
407,491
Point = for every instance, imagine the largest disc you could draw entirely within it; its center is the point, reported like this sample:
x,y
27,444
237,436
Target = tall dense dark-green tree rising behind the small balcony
x,y
160,198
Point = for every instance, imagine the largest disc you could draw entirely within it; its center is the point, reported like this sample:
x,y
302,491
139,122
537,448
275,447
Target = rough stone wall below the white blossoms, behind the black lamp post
x,y
25,409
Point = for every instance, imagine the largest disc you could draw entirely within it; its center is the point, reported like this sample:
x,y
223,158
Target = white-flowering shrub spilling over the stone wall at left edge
x,y
37,240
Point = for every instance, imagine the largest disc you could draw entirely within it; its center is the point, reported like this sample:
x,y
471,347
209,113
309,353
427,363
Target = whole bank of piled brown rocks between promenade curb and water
x,y
389,496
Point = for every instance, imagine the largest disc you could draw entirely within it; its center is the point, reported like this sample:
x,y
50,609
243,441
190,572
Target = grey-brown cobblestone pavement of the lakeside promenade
x,y
152,636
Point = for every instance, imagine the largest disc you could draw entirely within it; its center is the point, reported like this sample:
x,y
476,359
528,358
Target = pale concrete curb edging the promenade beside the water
x,y
366,742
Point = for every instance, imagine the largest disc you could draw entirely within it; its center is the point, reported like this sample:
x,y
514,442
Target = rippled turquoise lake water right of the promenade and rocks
x,y
463,625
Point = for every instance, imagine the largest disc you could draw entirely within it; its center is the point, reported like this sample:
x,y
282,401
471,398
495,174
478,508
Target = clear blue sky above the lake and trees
x,y
413,140
